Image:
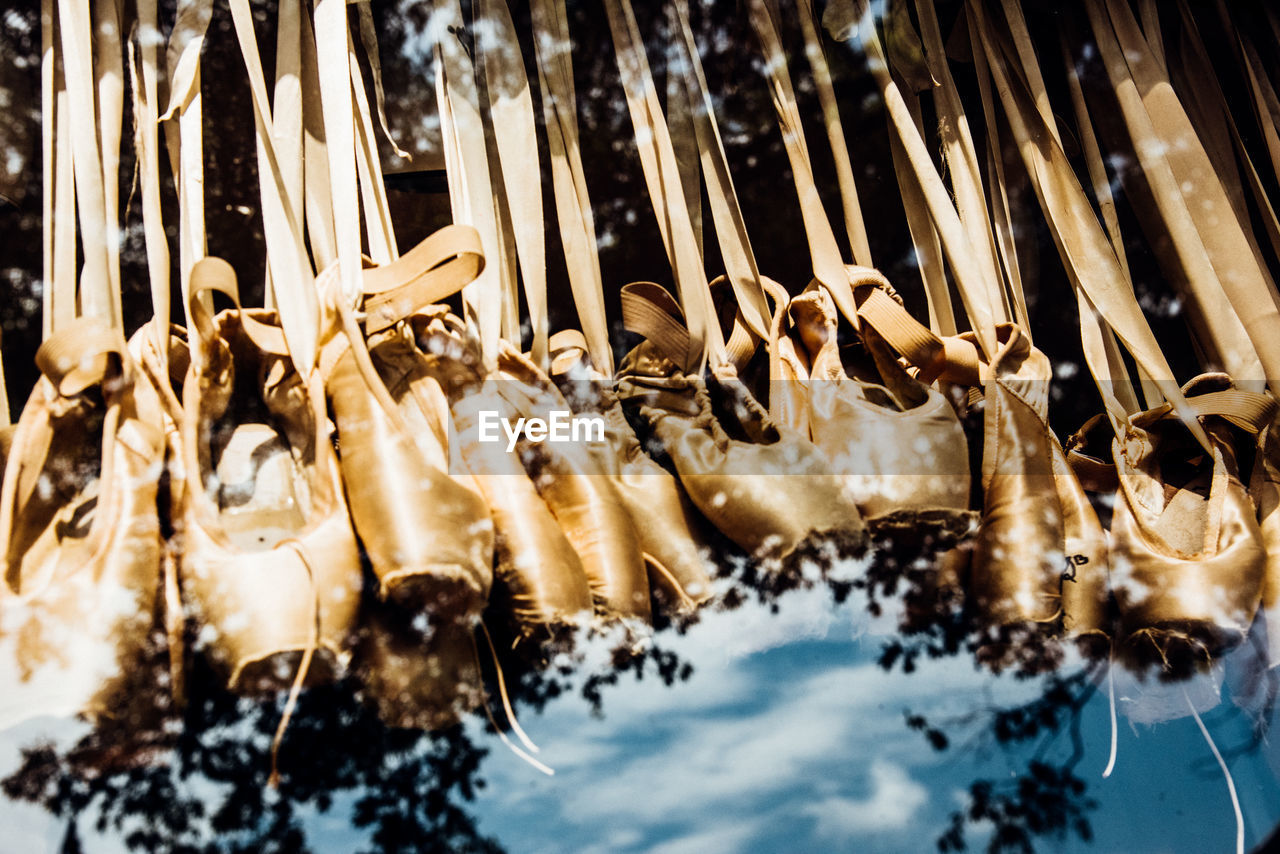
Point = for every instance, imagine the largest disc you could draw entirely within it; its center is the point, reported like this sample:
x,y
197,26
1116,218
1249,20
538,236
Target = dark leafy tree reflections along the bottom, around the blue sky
x,y
196,780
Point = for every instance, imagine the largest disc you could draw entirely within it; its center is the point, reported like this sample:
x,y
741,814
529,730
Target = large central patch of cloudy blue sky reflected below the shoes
x,y
788,727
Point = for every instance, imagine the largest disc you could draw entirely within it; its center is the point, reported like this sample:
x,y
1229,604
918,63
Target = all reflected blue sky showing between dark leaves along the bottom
x,y
790,737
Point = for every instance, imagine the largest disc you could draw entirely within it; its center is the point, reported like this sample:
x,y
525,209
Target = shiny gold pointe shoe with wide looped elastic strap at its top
x,y
424,526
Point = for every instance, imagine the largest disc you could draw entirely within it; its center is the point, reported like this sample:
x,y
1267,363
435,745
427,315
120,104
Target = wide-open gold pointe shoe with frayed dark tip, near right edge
x,y
1190,559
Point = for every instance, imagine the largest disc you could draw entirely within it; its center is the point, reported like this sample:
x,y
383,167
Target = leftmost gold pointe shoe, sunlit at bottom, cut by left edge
x,y
84,547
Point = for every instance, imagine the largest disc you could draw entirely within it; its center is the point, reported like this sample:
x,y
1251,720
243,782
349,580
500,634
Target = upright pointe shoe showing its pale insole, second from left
x,y
266,583
